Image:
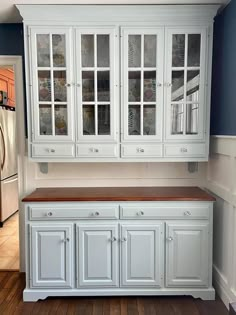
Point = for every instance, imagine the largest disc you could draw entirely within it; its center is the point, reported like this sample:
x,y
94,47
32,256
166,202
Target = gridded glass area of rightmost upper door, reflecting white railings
x,y
185,89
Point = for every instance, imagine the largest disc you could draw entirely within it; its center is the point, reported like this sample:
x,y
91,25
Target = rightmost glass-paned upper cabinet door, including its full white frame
x,y
185,78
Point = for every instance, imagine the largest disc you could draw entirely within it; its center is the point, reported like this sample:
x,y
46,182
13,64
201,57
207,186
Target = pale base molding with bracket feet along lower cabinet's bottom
x,y
33,295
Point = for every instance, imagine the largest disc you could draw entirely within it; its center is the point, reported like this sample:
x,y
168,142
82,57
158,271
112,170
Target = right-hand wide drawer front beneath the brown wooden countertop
x,y
140,213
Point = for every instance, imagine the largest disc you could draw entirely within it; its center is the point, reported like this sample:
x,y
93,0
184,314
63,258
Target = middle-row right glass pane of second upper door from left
x,y
103,86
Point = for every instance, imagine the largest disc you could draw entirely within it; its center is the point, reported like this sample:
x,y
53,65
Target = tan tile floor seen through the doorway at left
x,y
9,244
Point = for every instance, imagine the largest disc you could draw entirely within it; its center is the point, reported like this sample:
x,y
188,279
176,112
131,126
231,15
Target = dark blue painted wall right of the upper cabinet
x,y
223,104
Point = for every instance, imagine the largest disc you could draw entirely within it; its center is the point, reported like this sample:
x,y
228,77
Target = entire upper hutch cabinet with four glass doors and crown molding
x,y
118,83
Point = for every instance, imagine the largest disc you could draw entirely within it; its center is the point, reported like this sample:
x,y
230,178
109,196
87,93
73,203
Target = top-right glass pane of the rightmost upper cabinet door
x,y
194,48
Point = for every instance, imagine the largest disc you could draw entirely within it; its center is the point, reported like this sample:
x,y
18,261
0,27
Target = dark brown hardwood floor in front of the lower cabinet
x,y
13,283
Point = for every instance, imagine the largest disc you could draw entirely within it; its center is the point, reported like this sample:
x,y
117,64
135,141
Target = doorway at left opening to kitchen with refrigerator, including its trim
x,y
12,165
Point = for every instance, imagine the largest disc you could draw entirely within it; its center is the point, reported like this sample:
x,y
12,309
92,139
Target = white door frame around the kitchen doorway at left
x,y
16,62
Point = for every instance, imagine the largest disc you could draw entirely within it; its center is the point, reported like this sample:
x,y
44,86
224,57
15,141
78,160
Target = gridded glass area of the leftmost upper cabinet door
x,y
51,74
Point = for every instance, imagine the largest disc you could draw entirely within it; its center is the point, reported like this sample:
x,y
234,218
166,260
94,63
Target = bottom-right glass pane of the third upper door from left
x,y
149,119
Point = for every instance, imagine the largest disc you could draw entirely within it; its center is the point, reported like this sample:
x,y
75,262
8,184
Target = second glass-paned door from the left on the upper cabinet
x,y
97,64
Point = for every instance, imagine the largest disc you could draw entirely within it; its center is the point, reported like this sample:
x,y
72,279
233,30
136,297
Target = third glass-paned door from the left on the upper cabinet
x,y
142,84
